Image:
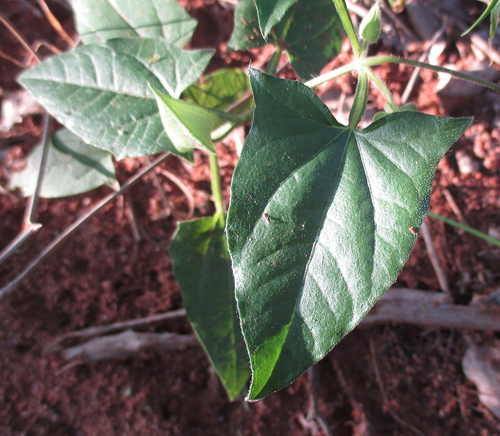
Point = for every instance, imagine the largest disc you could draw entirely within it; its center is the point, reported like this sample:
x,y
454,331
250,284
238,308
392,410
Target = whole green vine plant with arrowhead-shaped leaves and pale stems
x,y
322,215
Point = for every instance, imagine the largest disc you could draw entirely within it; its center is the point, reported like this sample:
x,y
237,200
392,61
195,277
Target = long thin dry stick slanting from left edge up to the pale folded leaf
x,y
54,244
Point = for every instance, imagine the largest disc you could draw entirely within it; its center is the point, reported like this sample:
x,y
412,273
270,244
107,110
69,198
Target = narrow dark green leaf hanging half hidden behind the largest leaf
x,y
203,270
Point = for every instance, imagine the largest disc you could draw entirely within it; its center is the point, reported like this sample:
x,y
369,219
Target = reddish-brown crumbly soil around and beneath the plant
x,y
101,275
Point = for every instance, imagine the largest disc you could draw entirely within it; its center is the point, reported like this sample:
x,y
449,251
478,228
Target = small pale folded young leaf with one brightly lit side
x,y
187,125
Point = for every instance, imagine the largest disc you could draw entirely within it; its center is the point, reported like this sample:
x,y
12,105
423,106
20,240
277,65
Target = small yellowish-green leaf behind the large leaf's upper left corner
x,y
220,90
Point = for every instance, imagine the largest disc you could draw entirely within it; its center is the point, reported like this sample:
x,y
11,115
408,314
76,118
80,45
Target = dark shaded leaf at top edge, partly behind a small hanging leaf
x,y
311,31
